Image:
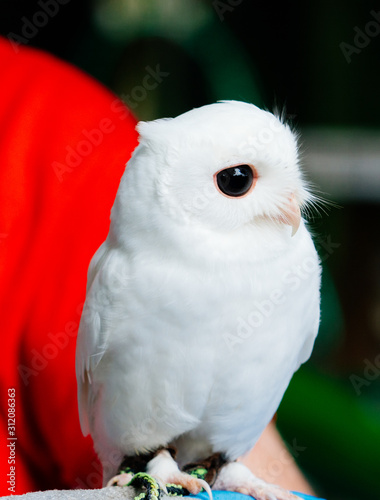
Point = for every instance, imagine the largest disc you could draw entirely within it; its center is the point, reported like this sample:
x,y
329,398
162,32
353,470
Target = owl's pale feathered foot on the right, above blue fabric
x,y
235,476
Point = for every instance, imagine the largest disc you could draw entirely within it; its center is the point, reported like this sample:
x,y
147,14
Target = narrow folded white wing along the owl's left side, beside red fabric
x,y
92,335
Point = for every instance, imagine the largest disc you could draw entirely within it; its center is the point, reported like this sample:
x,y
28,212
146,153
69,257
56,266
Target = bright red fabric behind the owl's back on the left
x,y
64,142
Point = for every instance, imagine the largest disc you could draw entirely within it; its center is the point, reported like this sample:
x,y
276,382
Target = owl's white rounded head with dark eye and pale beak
x,y
223,166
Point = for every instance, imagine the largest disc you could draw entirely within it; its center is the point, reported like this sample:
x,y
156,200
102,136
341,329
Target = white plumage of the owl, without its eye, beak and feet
x,y
171,347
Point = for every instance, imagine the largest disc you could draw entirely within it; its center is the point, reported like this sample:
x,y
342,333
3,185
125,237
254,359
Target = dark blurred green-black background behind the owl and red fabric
x,y
319,62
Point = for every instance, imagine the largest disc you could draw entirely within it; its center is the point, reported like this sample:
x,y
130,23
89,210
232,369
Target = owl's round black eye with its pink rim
x,y
236,181
